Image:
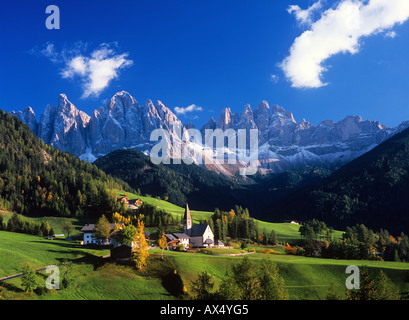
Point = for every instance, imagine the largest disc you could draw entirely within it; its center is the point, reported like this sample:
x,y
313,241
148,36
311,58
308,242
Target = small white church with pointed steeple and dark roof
x,y
197,235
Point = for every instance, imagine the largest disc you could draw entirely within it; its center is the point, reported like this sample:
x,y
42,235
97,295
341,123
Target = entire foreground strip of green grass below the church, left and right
x,y
304,277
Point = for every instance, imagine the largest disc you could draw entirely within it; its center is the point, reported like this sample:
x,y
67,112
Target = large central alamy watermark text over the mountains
x,y
189,146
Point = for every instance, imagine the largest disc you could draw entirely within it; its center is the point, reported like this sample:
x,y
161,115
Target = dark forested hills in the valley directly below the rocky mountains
x,y
204,189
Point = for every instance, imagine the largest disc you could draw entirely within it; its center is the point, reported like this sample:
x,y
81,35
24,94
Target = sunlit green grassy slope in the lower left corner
x,y
91,278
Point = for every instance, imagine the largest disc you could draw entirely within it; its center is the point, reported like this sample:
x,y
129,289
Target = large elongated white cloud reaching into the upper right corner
x,y
339,30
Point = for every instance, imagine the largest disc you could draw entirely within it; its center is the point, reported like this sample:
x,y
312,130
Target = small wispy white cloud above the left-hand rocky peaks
x,y
98,70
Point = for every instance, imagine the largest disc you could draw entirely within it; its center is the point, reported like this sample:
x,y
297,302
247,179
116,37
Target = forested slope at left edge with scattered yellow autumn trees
x,y
38,179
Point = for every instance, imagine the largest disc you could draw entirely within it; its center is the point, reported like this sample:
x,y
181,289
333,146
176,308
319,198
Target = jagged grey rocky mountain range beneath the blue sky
x,y
284,143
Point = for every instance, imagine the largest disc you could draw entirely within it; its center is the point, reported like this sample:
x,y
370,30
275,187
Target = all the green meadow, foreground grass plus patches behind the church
x,y
92,277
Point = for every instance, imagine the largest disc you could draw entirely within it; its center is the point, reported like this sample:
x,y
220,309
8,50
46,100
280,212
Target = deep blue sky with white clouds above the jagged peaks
x,y
319,59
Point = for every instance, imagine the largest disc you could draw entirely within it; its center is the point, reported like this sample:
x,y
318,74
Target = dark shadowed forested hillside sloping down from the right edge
x,y
373,190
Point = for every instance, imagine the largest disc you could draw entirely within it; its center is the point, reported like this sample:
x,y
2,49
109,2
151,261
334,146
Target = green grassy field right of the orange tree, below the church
x,y
303,277
